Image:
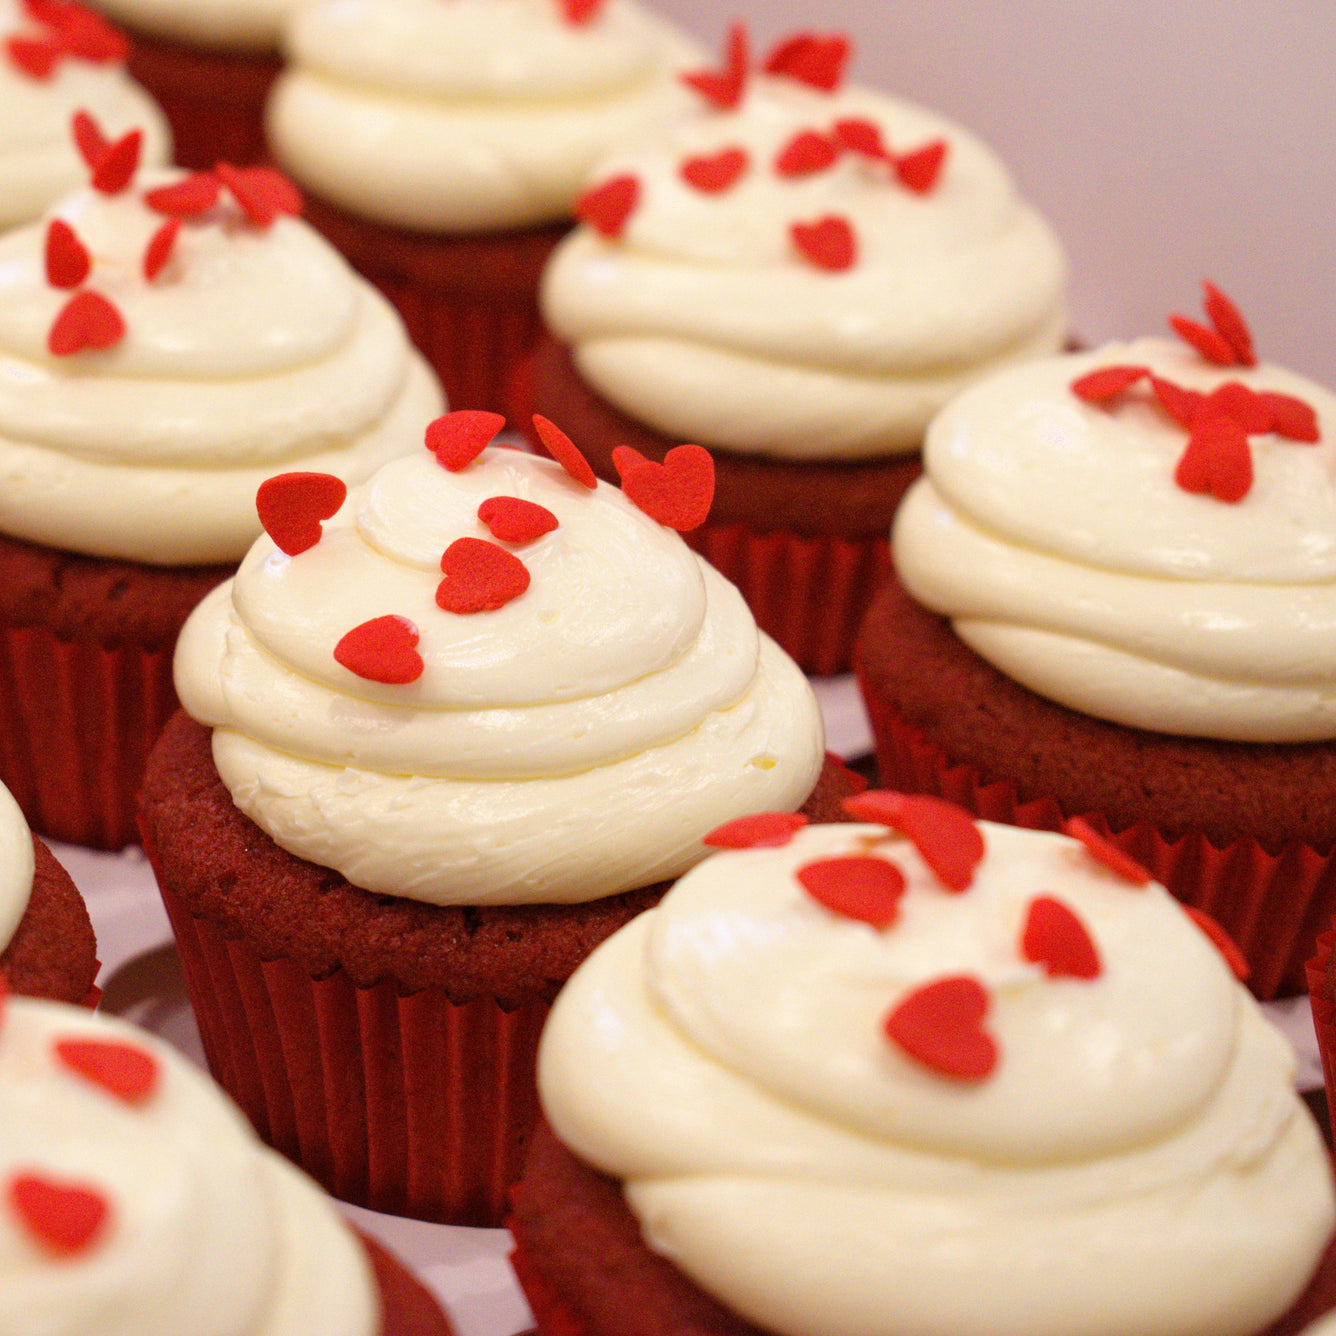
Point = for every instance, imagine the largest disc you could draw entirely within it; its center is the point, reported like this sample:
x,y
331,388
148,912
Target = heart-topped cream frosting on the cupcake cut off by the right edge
x,y
1146,534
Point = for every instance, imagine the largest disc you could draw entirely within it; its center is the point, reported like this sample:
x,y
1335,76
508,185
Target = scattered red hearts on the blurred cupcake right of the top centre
x,y
828,242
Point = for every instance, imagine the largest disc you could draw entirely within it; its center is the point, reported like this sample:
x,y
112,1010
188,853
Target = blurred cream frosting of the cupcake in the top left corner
x,y
38,161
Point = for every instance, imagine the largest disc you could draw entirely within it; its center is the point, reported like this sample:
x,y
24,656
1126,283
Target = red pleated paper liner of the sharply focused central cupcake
x,y
409,1106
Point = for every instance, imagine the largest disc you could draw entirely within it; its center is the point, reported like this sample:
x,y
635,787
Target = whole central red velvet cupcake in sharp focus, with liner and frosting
x,y
399,809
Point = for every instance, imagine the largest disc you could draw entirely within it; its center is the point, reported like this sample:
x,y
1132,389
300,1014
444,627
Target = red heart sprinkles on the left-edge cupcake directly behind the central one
x,y
90,320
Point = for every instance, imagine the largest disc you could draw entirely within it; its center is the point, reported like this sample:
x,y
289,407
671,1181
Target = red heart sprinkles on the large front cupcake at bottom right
x,y
941,1024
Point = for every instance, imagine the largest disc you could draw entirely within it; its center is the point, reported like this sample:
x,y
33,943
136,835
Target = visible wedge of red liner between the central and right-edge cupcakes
x,y
808,594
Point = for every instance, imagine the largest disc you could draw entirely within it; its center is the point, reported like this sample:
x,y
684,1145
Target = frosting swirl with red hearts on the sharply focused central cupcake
x,y
559,719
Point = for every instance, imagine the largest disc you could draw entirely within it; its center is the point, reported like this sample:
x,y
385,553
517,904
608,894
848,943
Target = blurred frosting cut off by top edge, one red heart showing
x,y
470,117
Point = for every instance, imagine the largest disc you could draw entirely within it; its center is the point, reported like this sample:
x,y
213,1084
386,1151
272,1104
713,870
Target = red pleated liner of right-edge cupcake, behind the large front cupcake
x,y
1273,905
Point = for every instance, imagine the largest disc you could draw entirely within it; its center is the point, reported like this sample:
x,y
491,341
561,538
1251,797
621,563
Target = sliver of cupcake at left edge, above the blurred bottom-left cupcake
x,y
47,945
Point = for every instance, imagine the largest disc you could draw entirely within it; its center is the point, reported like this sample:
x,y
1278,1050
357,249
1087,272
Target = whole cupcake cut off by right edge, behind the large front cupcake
x,y
1115,601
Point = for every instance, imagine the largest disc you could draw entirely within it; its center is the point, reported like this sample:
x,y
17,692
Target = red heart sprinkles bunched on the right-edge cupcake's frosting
x,y
1218,460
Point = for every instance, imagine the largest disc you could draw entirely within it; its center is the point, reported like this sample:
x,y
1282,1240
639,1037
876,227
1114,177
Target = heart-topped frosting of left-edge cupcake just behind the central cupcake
x,y
168,343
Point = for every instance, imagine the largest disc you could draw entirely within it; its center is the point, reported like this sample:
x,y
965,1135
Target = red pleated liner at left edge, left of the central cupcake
x,y
78,721
